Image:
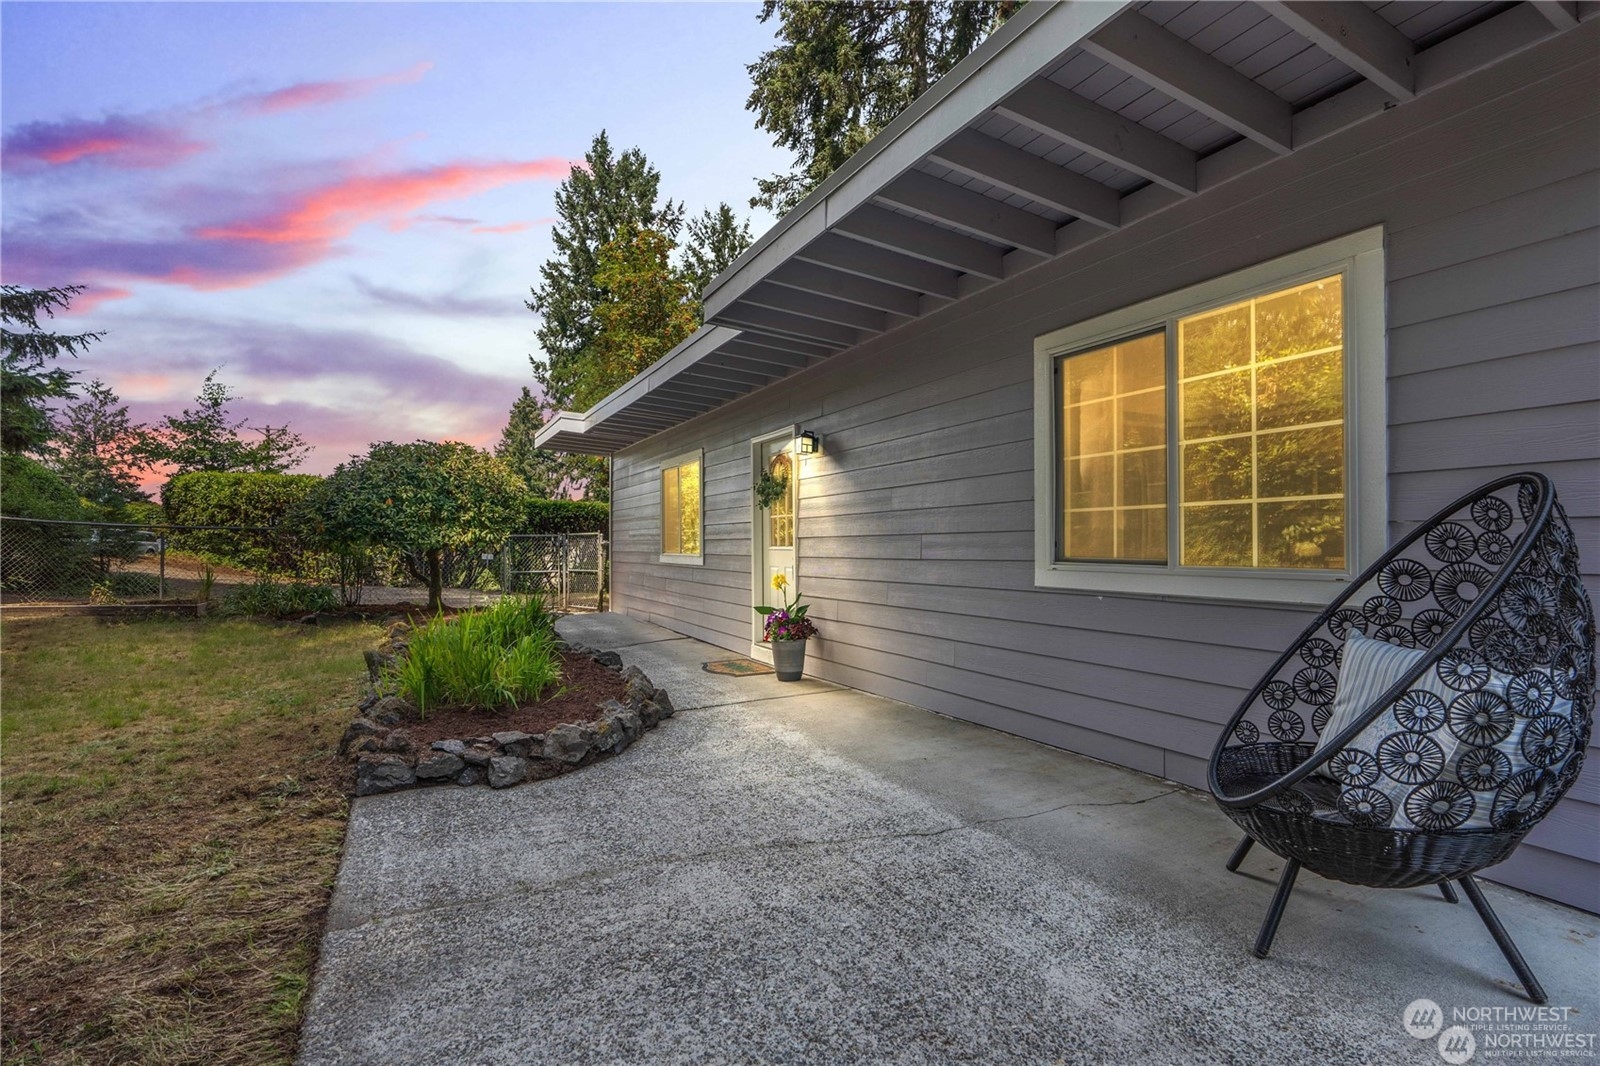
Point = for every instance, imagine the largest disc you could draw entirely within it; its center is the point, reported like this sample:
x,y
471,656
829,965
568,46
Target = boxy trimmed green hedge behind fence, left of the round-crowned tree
x,y
257,500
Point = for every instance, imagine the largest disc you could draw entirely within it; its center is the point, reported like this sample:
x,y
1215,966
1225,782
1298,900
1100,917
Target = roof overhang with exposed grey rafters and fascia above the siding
x,y
1071,122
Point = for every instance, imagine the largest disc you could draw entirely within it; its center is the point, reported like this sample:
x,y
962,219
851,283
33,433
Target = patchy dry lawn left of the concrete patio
x,y
172,830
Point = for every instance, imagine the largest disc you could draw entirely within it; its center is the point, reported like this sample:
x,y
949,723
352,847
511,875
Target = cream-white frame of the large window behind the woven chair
x,y
1361,260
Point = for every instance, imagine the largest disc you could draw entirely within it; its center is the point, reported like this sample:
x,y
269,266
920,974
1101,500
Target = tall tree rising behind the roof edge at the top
x,y
844,71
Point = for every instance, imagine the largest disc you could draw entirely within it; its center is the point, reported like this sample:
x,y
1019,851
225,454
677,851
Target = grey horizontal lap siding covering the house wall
x,y
916,523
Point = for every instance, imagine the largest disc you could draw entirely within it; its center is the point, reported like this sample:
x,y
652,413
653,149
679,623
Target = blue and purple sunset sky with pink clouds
x,y
343,206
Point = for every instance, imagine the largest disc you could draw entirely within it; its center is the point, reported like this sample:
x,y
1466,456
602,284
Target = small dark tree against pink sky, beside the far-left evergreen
x,y
98,451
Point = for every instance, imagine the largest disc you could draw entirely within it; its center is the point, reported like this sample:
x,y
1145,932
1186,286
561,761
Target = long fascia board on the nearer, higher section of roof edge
x,y
1020,50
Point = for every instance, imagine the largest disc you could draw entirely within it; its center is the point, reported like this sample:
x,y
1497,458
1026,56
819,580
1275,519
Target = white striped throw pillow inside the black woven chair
x,y
1455,751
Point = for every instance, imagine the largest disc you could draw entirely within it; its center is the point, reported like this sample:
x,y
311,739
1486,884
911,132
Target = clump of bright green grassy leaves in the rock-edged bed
x,y
500,657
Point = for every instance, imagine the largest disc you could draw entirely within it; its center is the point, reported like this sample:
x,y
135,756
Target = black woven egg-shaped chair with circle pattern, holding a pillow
x,y
1490,643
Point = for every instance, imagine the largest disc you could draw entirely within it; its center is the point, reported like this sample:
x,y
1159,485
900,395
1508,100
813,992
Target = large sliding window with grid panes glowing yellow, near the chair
x,y
1225,441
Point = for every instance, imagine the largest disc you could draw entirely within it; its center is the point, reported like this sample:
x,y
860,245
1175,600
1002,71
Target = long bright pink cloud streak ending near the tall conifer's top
x,y
337,210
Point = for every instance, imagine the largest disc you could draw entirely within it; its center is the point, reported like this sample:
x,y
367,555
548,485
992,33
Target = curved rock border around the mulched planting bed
x,y
388,761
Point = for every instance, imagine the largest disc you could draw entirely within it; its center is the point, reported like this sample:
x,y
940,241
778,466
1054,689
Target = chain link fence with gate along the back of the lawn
x,y
76,564
